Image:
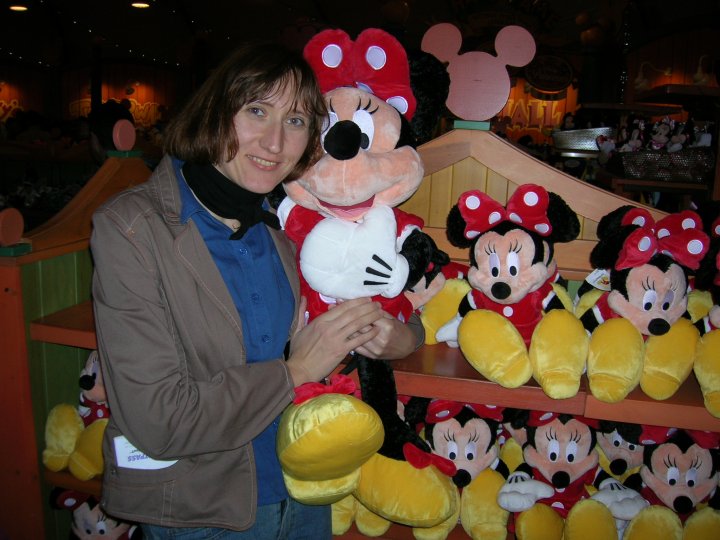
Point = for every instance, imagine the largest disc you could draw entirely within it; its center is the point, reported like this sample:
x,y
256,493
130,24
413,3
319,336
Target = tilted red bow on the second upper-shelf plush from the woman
x,y
679,236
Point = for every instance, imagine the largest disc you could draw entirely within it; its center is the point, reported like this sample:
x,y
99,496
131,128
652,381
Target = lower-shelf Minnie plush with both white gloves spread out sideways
x,y
550,490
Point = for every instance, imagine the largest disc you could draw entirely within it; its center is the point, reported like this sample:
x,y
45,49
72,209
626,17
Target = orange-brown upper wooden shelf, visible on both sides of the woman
x,y
439,371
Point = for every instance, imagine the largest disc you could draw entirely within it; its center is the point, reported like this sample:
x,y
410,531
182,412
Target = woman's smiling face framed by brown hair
x,y
272,136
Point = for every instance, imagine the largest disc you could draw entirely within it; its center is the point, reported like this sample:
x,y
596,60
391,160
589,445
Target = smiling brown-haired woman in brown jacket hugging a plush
x,y
196,301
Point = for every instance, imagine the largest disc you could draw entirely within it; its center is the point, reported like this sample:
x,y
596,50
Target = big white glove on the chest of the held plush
x,y
344,259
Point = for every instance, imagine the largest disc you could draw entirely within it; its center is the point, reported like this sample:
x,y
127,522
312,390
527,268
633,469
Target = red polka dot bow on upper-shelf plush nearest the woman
x,y
527,207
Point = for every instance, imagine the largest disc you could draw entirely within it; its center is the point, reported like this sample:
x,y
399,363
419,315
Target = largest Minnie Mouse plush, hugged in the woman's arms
x,y
352,241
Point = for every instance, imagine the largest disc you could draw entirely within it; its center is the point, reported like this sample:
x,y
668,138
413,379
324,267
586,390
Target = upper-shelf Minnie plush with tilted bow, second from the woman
x,y
641,330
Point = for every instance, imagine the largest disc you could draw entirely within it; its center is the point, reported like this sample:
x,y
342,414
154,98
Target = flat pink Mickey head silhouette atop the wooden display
x,y
479,82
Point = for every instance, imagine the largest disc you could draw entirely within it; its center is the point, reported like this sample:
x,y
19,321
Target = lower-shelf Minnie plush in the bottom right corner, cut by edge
x,y
680,480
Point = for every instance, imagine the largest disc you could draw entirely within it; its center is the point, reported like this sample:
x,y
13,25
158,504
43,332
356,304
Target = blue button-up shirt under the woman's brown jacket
x,y
256,279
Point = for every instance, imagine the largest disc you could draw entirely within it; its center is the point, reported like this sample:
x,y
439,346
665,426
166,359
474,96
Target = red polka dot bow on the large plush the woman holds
x,y
375,62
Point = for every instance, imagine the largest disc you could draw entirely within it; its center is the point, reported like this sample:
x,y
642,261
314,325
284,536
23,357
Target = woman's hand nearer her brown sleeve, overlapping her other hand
x,y
317,348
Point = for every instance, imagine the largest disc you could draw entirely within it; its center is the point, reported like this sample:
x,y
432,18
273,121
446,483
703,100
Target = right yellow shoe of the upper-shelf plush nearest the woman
x,y
558,353
